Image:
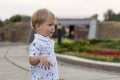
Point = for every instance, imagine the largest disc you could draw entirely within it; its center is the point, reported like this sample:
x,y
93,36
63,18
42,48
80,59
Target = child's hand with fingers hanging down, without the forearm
x,y
45,63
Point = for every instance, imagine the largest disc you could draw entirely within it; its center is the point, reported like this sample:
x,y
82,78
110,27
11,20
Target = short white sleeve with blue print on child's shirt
x,y
34,49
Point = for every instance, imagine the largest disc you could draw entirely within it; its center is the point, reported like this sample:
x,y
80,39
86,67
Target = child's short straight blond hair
x,y
40,16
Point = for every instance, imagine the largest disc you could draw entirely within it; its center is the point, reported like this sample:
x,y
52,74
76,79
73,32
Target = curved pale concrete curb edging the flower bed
x,y
108,66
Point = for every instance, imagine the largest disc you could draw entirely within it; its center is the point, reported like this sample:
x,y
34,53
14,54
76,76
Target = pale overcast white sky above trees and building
x,y
61,8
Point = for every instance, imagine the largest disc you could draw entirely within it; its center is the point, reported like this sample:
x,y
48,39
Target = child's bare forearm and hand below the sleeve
x,y
34,60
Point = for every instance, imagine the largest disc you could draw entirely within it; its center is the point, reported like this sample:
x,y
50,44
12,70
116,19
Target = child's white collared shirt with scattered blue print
x,y
43,46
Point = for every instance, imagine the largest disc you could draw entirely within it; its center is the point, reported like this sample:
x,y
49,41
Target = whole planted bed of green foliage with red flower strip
x,y
104,50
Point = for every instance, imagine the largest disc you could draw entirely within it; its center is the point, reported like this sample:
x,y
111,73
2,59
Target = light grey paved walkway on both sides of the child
x,y
14,66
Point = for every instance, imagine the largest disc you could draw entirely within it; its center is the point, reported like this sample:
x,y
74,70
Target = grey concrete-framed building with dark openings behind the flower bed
x,y
78,28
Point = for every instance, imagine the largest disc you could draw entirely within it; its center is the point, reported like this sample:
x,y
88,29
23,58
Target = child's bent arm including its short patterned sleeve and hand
x,y
35,58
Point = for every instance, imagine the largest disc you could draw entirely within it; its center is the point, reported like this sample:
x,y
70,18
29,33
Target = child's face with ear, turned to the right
x,y
46,29
